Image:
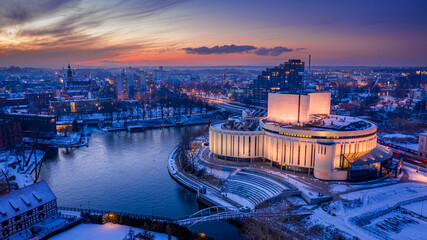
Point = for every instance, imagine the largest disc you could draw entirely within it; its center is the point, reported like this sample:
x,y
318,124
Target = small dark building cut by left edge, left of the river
x,y
10,133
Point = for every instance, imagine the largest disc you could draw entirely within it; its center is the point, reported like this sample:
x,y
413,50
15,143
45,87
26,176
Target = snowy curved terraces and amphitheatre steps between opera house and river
x,y
246,184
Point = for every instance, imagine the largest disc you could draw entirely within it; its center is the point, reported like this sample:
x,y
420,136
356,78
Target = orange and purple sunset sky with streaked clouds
x,y
48,33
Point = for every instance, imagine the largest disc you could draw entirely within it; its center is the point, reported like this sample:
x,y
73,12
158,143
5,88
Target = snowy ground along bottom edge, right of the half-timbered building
x,y
108,231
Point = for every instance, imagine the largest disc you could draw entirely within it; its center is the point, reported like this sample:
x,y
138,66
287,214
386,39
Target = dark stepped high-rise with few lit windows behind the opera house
x,y
285,77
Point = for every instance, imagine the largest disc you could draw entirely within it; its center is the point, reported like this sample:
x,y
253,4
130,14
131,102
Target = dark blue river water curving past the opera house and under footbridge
x,y
127,172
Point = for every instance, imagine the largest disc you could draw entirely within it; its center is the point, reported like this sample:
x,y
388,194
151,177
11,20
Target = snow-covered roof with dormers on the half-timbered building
x,y
24,199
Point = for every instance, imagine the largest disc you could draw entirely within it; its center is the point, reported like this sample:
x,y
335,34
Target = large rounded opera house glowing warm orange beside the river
x,y
299,134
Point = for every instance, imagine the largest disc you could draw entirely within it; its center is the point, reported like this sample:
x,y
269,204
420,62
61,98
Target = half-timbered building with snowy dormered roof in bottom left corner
x,y
22,209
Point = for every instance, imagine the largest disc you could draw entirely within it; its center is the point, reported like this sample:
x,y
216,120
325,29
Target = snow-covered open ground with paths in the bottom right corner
x,y
370,211
